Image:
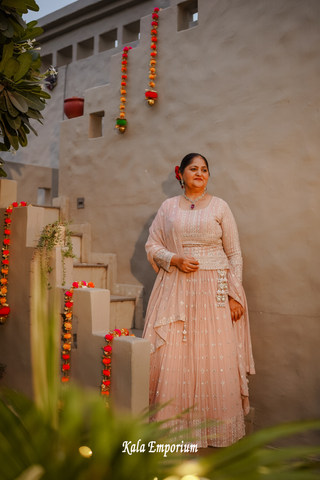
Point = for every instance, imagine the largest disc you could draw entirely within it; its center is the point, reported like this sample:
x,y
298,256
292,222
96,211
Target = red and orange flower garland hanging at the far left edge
x,y
4,306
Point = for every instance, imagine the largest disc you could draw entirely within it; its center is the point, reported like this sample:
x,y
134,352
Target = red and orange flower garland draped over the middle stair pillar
x,y
67,327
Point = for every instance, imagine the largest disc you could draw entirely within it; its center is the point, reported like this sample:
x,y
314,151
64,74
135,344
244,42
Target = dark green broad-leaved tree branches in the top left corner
x,y
21,94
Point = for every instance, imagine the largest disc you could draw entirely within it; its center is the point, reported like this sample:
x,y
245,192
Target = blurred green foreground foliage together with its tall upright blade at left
x,y
41,439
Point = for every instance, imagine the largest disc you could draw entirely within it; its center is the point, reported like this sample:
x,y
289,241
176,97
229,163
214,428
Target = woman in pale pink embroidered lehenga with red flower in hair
x,y
197,319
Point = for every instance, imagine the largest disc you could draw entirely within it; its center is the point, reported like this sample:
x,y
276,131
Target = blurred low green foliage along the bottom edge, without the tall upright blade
x,y
30,444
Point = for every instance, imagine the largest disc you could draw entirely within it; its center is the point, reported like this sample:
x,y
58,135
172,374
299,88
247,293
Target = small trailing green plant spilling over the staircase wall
x,y
54,234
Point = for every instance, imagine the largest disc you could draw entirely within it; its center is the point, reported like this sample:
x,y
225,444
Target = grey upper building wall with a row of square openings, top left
x,y
67,27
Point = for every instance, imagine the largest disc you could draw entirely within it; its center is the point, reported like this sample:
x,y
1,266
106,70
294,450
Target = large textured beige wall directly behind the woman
x,y
242,88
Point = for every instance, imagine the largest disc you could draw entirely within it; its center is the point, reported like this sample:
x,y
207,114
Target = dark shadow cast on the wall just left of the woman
x,y
140,267
